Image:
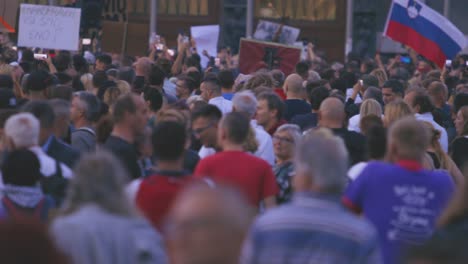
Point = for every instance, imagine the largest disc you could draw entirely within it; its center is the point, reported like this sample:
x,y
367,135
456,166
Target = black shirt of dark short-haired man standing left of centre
x,y
126,153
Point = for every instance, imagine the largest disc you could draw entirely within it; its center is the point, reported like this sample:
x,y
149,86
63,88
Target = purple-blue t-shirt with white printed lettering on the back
x,y
403,202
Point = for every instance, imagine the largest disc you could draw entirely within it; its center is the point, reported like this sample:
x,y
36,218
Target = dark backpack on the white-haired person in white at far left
x,y
55,185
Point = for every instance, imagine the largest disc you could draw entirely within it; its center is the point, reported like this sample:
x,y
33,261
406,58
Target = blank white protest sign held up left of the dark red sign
x,y
206,38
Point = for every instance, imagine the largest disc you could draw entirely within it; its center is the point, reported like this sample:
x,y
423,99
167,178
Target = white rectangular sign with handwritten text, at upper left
x,y
49,27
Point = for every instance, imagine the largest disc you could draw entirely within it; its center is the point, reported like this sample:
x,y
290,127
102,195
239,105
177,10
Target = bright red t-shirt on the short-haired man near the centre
x,y
250,175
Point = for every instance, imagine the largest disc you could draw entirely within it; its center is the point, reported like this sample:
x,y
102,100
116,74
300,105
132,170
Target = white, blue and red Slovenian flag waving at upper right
x,y
429,33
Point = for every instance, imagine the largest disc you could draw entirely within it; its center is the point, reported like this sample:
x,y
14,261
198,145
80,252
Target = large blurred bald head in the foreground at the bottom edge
x,y
208,226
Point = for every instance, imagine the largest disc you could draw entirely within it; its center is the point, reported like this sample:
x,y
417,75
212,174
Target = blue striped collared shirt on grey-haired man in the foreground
x,y
311,229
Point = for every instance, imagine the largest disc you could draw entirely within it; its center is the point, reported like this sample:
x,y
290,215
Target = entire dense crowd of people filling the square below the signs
x,y
158,159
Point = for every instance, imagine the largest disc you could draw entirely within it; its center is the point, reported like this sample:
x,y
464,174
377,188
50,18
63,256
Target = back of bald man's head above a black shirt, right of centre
x,y
332,113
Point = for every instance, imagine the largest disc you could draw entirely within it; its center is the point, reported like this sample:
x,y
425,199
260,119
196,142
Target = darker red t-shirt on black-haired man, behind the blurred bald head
x,y
157,193
